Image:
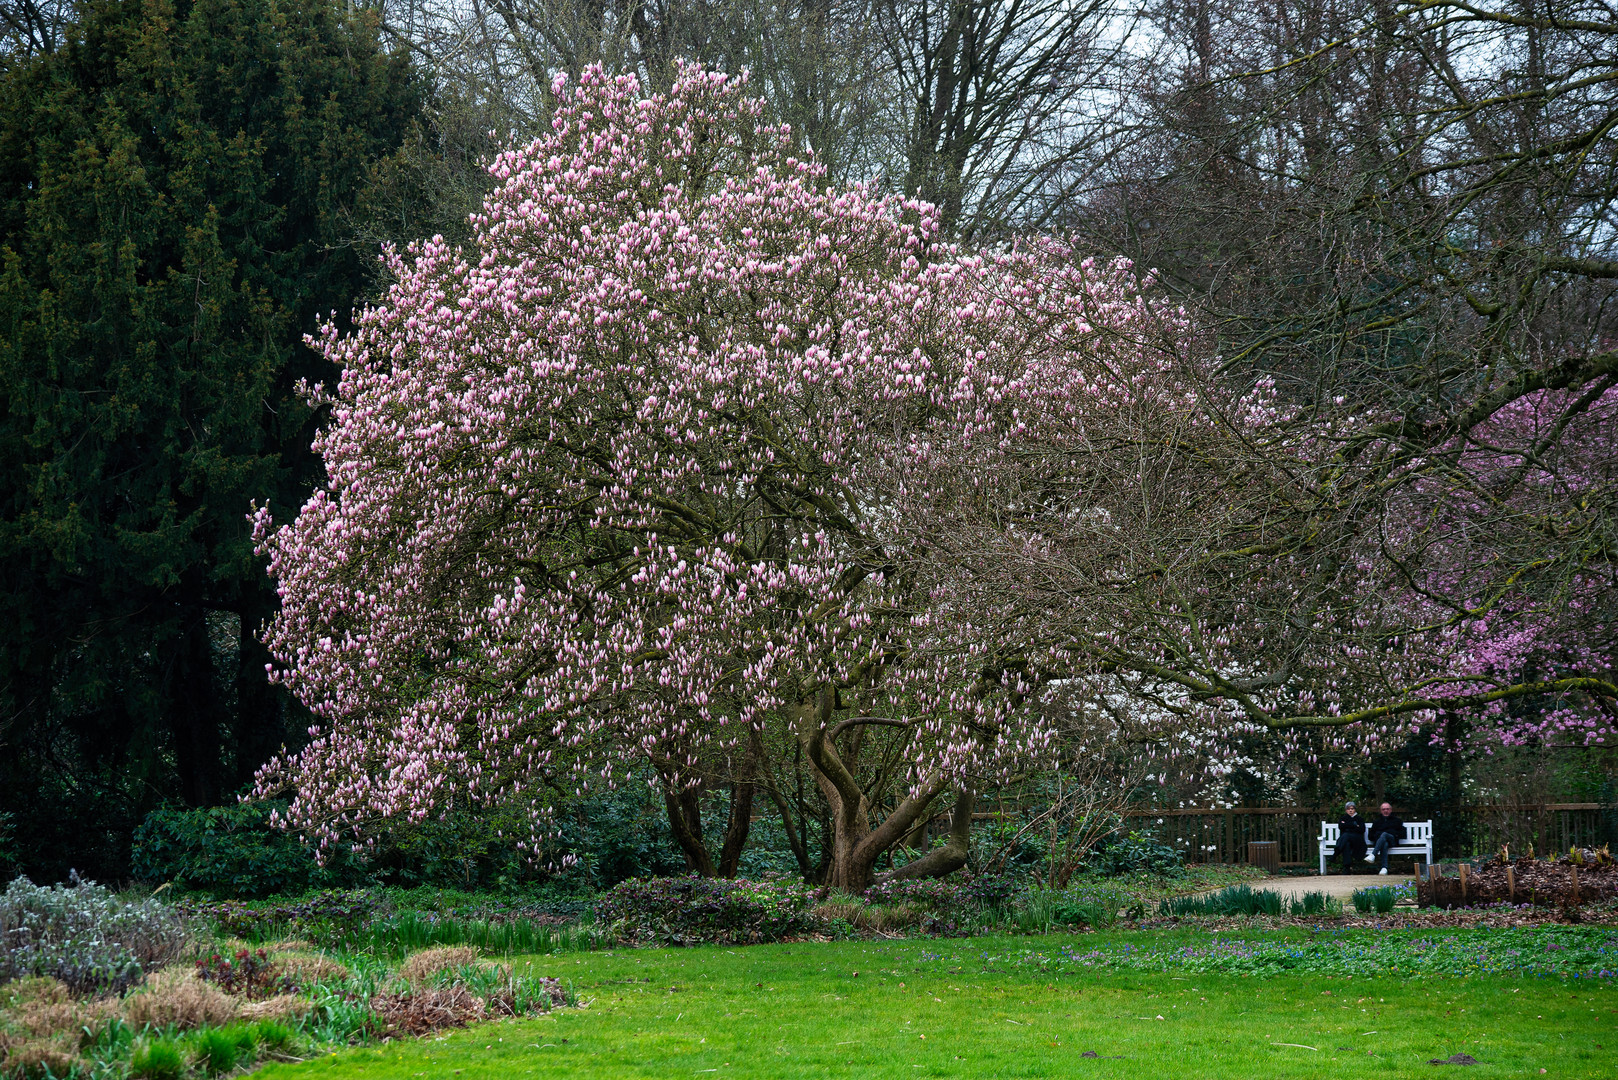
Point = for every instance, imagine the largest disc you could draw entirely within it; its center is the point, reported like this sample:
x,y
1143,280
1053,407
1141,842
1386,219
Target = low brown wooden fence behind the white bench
x,y
1221,836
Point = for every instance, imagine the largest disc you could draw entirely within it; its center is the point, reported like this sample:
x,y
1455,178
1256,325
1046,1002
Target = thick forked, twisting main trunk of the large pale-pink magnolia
x,y
857,844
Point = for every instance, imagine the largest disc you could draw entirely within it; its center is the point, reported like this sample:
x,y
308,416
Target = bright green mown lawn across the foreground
x,y
972,1010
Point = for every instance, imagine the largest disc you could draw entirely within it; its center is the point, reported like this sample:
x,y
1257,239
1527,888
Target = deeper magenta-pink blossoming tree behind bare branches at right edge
x,y
1520,553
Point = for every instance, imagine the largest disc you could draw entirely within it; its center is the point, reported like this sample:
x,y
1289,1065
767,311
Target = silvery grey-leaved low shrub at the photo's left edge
x,y
85,935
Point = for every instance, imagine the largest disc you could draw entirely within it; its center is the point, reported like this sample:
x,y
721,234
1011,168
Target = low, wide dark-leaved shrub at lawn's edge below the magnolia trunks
x,y
687,911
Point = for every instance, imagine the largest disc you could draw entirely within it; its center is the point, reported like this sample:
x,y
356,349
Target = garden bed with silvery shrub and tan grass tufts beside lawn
x,y
100,985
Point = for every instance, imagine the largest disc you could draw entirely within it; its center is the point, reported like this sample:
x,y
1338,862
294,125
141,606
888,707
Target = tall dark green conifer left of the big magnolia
x,y
176,184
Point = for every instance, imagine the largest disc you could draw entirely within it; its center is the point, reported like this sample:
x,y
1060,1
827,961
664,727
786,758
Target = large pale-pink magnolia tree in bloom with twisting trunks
x,y
627,482
